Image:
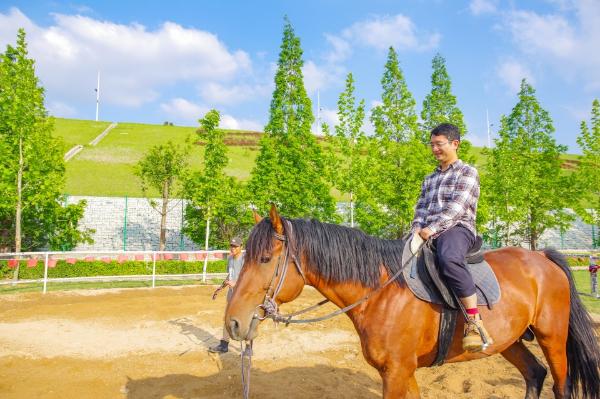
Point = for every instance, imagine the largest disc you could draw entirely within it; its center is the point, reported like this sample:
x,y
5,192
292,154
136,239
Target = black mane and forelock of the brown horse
x,y
335,253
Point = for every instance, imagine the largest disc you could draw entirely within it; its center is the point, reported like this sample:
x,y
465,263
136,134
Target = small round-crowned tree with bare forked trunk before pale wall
x,y
160,170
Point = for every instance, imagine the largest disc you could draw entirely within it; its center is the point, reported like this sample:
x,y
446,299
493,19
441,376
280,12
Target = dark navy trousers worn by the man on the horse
x,y
452,247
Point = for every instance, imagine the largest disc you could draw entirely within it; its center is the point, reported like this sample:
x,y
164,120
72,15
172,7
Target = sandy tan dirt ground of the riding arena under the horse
x,y
144,343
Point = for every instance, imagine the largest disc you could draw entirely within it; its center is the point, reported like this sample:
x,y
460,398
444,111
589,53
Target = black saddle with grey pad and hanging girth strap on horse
x,y
424,280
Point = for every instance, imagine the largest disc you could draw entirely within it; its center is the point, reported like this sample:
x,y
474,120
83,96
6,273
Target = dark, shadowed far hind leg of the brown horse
x,y
530,367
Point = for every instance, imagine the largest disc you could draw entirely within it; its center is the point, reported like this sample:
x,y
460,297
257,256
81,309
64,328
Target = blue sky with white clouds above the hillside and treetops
x,y
173,61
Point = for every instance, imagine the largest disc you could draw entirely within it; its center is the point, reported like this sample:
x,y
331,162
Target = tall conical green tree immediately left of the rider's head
x,y
396,161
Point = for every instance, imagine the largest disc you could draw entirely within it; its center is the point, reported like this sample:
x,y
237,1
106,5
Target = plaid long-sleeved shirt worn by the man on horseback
x,y
448,198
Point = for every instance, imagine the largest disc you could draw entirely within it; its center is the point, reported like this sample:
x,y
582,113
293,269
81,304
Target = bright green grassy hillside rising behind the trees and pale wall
x,y
107,169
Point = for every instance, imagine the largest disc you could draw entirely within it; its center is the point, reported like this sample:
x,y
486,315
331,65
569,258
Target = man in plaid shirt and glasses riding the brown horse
x,y
445,213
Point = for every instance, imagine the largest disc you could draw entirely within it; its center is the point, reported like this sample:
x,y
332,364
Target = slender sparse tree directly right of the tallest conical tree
x,y
347,144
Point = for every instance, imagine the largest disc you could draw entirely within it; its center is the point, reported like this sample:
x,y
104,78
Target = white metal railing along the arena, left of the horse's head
x,y
50,258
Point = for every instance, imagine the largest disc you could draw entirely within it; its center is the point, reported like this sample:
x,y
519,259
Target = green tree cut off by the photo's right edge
x,y
587,175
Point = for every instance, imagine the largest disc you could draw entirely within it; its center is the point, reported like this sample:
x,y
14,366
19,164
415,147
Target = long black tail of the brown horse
x,y
583,353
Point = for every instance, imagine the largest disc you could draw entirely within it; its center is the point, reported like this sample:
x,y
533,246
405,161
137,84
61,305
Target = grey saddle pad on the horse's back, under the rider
x,y
485,280
